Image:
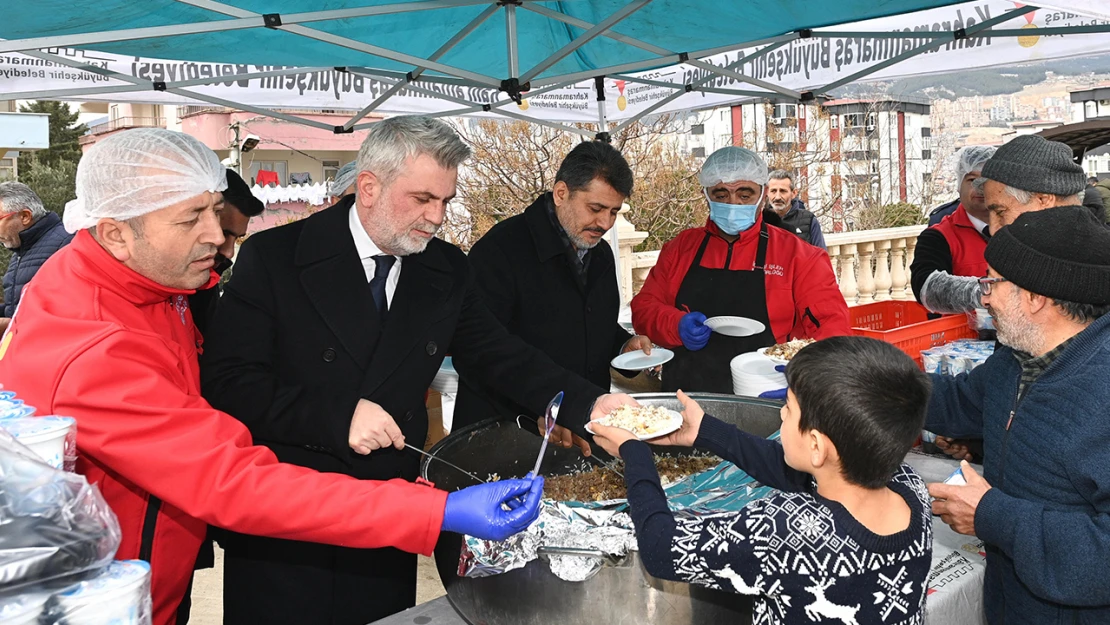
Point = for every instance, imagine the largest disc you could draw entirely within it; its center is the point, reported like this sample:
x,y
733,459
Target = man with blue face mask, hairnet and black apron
x,y
734,266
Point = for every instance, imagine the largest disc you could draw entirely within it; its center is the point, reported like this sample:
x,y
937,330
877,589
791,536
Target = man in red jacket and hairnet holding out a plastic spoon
x,y
105,335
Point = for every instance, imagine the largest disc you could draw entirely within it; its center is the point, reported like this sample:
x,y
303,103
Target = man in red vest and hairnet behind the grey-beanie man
x,y
954,248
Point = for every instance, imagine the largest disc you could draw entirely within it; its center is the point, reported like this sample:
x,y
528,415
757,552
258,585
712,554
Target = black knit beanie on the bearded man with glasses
x,y
1062,254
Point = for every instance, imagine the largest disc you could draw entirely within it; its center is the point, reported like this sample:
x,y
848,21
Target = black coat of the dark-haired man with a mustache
x,y
526,275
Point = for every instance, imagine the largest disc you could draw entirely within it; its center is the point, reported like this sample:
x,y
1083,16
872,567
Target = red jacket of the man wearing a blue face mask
x,y
803,298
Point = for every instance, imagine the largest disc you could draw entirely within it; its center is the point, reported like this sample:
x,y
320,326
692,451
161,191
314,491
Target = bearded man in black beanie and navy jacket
x,y
1043,506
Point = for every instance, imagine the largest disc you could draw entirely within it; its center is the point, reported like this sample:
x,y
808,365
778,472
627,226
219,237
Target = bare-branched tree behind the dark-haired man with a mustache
x,y
516,163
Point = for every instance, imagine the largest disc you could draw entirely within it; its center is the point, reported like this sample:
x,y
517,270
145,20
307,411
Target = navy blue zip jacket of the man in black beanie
x,y
1046,520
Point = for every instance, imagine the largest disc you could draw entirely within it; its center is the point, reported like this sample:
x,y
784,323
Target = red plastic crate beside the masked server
x,y
907,327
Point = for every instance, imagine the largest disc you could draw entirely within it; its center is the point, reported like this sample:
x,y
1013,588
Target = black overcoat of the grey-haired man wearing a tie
x,y
296,344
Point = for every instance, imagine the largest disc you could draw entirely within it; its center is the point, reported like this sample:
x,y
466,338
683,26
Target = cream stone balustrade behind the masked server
x,y
871,266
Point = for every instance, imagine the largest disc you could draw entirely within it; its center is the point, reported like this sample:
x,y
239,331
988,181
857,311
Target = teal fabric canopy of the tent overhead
x,y
679,26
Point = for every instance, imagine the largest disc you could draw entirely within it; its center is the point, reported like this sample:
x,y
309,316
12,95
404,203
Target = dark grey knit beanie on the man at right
x,y
1034,164
